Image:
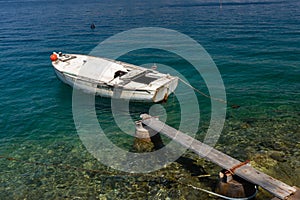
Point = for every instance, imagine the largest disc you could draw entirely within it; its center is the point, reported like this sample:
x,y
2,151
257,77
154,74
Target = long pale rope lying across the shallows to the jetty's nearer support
x,y
132,175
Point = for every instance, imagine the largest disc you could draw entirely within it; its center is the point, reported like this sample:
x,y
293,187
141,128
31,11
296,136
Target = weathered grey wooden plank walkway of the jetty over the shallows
x,y
279,189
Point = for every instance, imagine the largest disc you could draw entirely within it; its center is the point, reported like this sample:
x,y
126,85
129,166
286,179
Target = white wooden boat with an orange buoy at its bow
x,y
111,78
